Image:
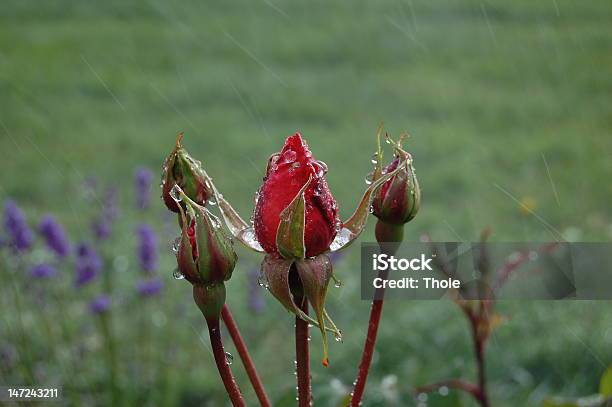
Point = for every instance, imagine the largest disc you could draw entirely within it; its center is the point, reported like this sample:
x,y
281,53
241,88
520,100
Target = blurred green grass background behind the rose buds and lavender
x,y
508,107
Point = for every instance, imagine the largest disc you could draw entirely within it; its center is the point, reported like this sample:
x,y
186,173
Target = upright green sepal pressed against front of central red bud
x,y
290,232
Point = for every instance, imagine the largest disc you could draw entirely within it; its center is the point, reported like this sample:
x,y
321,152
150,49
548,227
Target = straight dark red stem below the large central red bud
x,y
302,355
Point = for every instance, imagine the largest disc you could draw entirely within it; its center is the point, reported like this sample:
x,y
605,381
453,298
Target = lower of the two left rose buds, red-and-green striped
x,y
205,254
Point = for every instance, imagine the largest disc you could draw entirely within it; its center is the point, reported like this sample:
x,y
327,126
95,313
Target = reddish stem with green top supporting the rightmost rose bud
x,y
385,233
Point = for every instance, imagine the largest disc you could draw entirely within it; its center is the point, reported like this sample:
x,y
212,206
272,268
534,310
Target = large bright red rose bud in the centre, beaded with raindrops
x,y
295,215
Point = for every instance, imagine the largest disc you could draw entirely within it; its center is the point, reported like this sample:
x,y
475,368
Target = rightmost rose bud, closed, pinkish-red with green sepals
x,y
397,201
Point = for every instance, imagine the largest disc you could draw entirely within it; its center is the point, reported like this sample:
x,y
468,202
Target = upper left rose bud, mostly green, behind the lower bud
x,y
182,170
